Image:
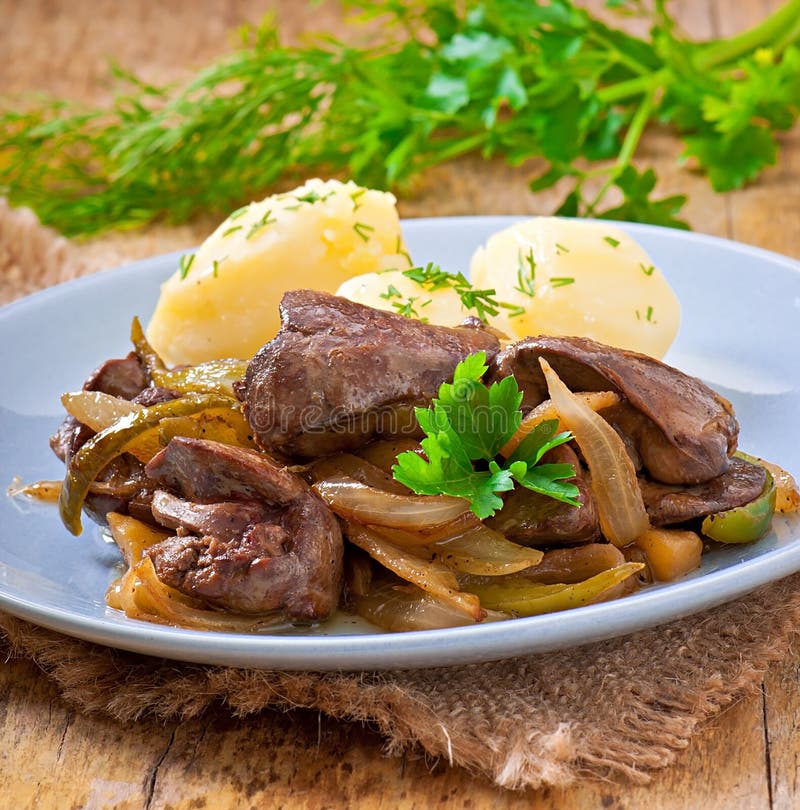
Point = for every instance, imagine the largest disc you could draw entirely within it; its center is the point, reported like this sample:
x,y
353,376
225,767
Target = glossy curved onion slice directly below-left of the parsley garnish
x,y
356,501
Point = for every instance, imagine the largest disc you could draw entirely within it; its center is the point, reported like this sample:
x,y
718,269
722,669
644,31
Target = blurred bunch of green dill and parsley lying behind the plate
x,y
514,79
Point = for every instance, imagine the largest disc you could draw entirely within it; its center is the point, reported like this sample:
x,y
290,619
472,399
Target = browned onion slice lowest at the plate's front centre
x,y
398,608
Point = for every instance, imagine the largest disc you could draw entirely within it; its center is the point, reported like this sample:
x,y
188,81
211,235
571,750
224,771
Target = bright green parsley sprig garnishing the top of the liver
x,y
466,427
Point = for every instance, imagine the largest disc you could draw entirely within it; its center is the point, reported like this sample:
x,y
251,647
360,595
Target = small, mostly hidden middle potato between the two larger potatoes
x,y
392,291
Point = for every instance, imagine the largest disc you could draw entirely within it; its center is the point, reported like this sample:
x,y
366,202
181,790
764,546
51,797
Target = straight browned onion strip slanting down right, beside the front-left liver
x,y
432,577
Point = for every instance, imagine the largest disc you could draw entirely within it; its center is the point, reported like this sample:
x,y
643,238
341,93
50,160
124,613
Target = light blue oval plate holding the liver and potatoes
x,y
740,332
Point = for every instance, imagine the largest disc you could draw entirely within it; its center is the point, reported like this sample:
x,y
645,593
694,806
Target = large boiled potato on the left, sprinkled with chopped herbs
x,y
223,301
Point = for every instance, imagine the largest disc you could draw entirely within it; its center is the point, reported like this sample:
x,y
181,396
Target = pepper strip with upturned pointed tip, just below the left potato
x,y
212,377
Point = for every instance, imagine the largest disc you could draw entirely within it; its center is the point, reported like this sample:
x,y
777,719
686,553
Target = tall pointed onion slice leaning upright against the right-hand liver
x,y
619,500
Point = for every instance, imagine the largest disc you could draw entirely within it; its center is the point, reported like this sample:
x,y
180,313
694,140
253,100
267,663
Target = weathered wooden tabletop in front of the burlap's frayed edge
x,y
303,760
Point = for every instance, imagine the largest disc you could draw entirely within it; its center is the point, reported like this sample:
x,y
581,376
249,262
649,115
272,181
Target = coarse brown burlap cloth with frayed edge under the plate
x,y
618,709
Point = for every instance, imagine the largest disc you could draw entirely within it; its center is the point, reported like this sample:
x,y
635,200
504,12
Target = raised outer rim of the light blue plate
x,y
417,649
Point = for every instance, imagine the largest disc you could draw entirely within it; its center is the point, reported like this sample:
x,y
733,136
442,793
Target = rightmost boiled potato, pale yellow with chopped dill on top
x,y
577,278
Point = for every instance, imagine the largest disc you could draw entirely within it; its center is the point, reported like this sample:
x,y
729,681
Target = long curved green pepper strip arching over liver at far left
x,y
105,446
